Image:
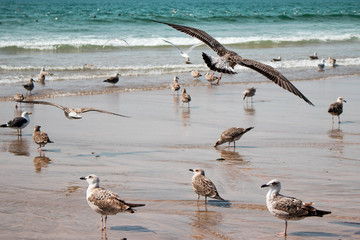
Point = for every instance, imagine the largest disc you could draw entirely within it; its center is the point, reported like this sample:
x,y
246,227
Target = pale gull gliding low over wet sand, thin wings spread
x,y
73,113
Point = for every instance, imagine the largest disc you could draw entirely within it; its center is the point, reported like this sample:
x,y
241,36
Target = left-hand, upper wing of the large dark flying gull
x,y
201,35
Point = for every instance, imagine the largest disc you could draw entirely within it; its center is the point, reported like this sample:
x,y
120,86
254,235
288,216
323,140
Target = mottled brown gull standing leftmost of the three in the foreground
x,y
104,201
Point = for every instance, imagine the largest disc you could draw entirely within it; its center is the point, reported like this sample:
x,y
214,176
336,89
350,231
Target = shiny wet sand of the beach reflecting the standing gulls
x,y
145,159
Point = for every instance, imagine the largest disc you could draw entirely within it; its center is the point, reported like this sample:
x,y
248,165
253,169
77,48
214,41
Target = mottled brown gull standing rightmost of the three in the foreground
x,y
288,208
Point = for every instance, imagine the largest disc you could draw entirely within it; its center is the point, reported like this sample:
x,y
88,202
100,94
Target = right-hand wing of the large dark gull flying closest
x,y
274,75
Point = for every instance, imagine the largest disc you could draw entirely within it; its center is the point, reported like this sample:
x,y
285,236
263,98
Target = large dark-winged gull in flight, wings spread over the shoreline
x,y
228,59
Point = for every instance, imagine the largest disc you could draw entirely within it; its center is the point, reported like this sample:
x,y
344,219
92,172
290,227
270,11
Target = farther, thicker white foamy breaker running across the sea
x,y
42,44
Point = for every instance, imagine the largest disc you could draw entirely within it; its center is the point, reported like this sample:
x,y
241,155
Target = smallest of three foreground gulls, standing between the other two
x,y
203,186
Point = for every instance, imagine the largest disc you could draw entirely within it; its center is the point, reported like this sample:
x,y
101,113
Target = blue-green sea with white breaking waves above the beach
x,y
84,42
